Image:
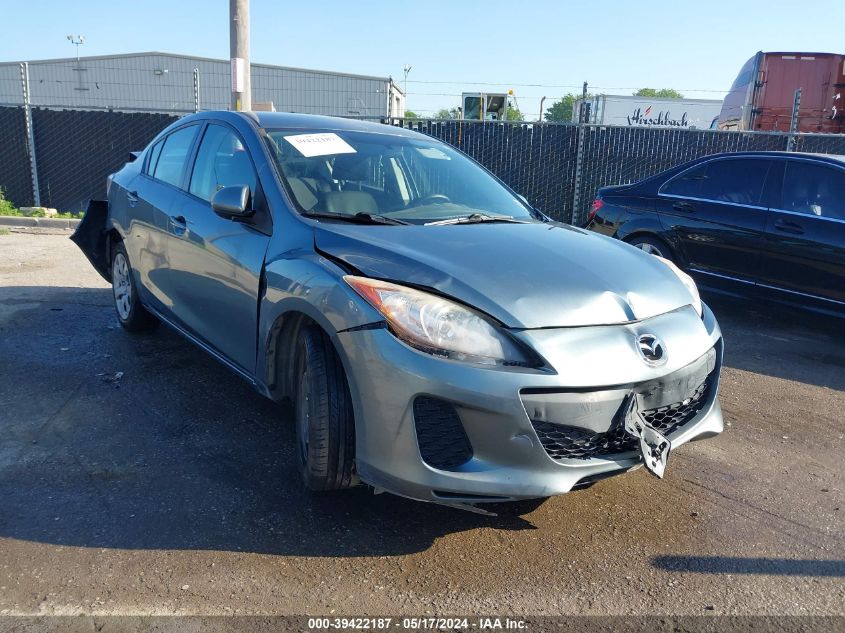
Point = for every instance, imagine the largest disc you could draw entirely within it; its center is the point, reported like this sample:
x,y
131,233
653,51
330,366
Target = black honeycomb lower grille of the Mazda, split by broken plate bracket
x,y
572,442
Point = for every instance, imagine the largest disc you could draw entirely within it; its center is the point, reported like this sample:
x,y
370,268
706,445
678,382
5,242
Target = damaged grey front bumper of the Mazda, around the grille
x,y
454,433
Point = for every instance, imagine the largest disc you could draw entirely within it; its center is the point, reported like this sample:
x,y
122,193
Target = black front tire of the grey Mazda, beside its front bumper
x,y
325,427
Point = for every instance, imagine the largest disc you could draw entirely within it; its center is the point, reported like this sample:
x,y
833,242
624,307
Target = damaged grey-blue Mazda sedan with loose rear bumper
x,y
438,337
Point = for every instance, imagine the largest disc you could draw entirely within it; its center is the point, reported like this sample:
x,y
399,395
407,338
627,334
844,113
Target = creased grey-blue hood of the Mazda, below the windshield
x,y
524,275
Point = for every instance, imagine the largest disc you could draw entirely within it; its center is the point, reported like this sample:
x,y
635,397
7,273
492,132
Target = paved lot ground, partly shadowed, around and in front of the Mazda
x,y
172,489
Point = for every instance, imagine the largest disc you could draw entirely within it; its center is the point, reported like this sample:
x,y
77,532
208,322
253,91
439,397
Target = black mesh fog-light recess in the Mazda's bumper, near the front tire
x,y
440,435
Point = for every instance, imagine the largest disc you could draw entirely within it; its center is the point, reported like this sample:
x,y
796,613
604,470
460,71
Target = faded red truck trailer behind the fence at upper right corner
x,y
762,96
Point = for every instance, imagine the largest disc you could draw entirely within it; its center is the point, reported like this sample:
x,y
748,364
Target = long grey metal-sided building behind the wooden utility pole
x,y
163,82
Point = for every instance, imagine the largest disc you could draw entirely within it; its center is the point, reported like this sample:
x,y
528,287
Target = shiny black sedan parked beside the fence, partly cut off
x,y
760,224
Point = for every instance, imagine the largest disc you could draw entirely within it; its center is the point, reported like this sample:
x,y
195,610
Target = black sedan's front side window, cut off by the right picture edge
x,y
814,189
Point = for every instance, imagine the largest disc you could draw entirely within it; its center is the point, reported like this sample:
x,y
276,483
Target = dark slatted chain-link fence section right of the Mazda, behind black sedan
x,y
559,167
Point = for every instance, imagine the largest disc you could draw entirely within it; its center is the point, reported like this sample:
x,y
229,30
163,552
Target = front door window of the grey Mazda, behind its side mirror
x,y
222,161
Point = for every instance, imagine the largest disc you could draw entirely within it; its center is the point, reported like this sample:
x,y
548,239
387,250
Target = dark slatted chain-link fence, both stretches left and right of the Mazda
x,y
557,167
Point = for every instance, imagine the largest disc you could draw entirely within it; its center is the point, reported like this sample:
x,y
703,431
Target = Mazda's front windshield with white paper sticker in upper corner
x,y
338,173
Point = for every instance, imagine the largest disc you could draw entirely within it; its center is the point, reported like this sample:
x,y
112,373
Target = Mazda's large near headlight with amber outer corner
x,y
438,326
